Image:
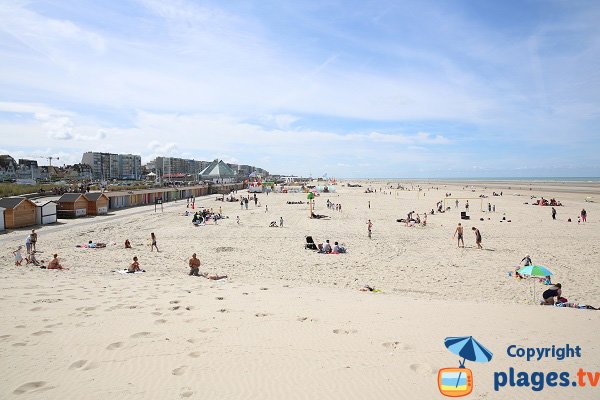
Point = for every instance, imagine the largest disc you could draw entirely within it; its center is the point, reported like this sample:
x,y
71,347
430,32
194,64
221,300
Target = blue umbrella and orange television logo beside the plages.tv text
x,y
458,382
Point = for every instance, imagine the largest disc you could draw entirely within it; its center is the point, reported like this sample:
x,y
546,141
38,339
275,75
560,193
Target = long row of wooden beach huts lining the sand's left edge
x,y
20,212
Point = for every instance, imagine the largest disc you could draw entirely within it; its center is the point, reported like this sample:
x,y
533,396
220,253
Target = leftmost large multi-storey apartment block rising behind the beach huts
x,y
106,166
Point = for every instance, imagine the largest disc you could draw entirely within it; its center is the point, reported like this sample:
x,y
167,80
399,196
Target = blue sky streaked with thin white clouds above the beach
x,y
380,89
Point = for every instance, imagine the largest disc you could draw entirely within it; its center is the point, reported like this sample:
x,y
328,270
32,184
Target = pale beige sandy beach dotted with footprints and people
x,y
291,323
